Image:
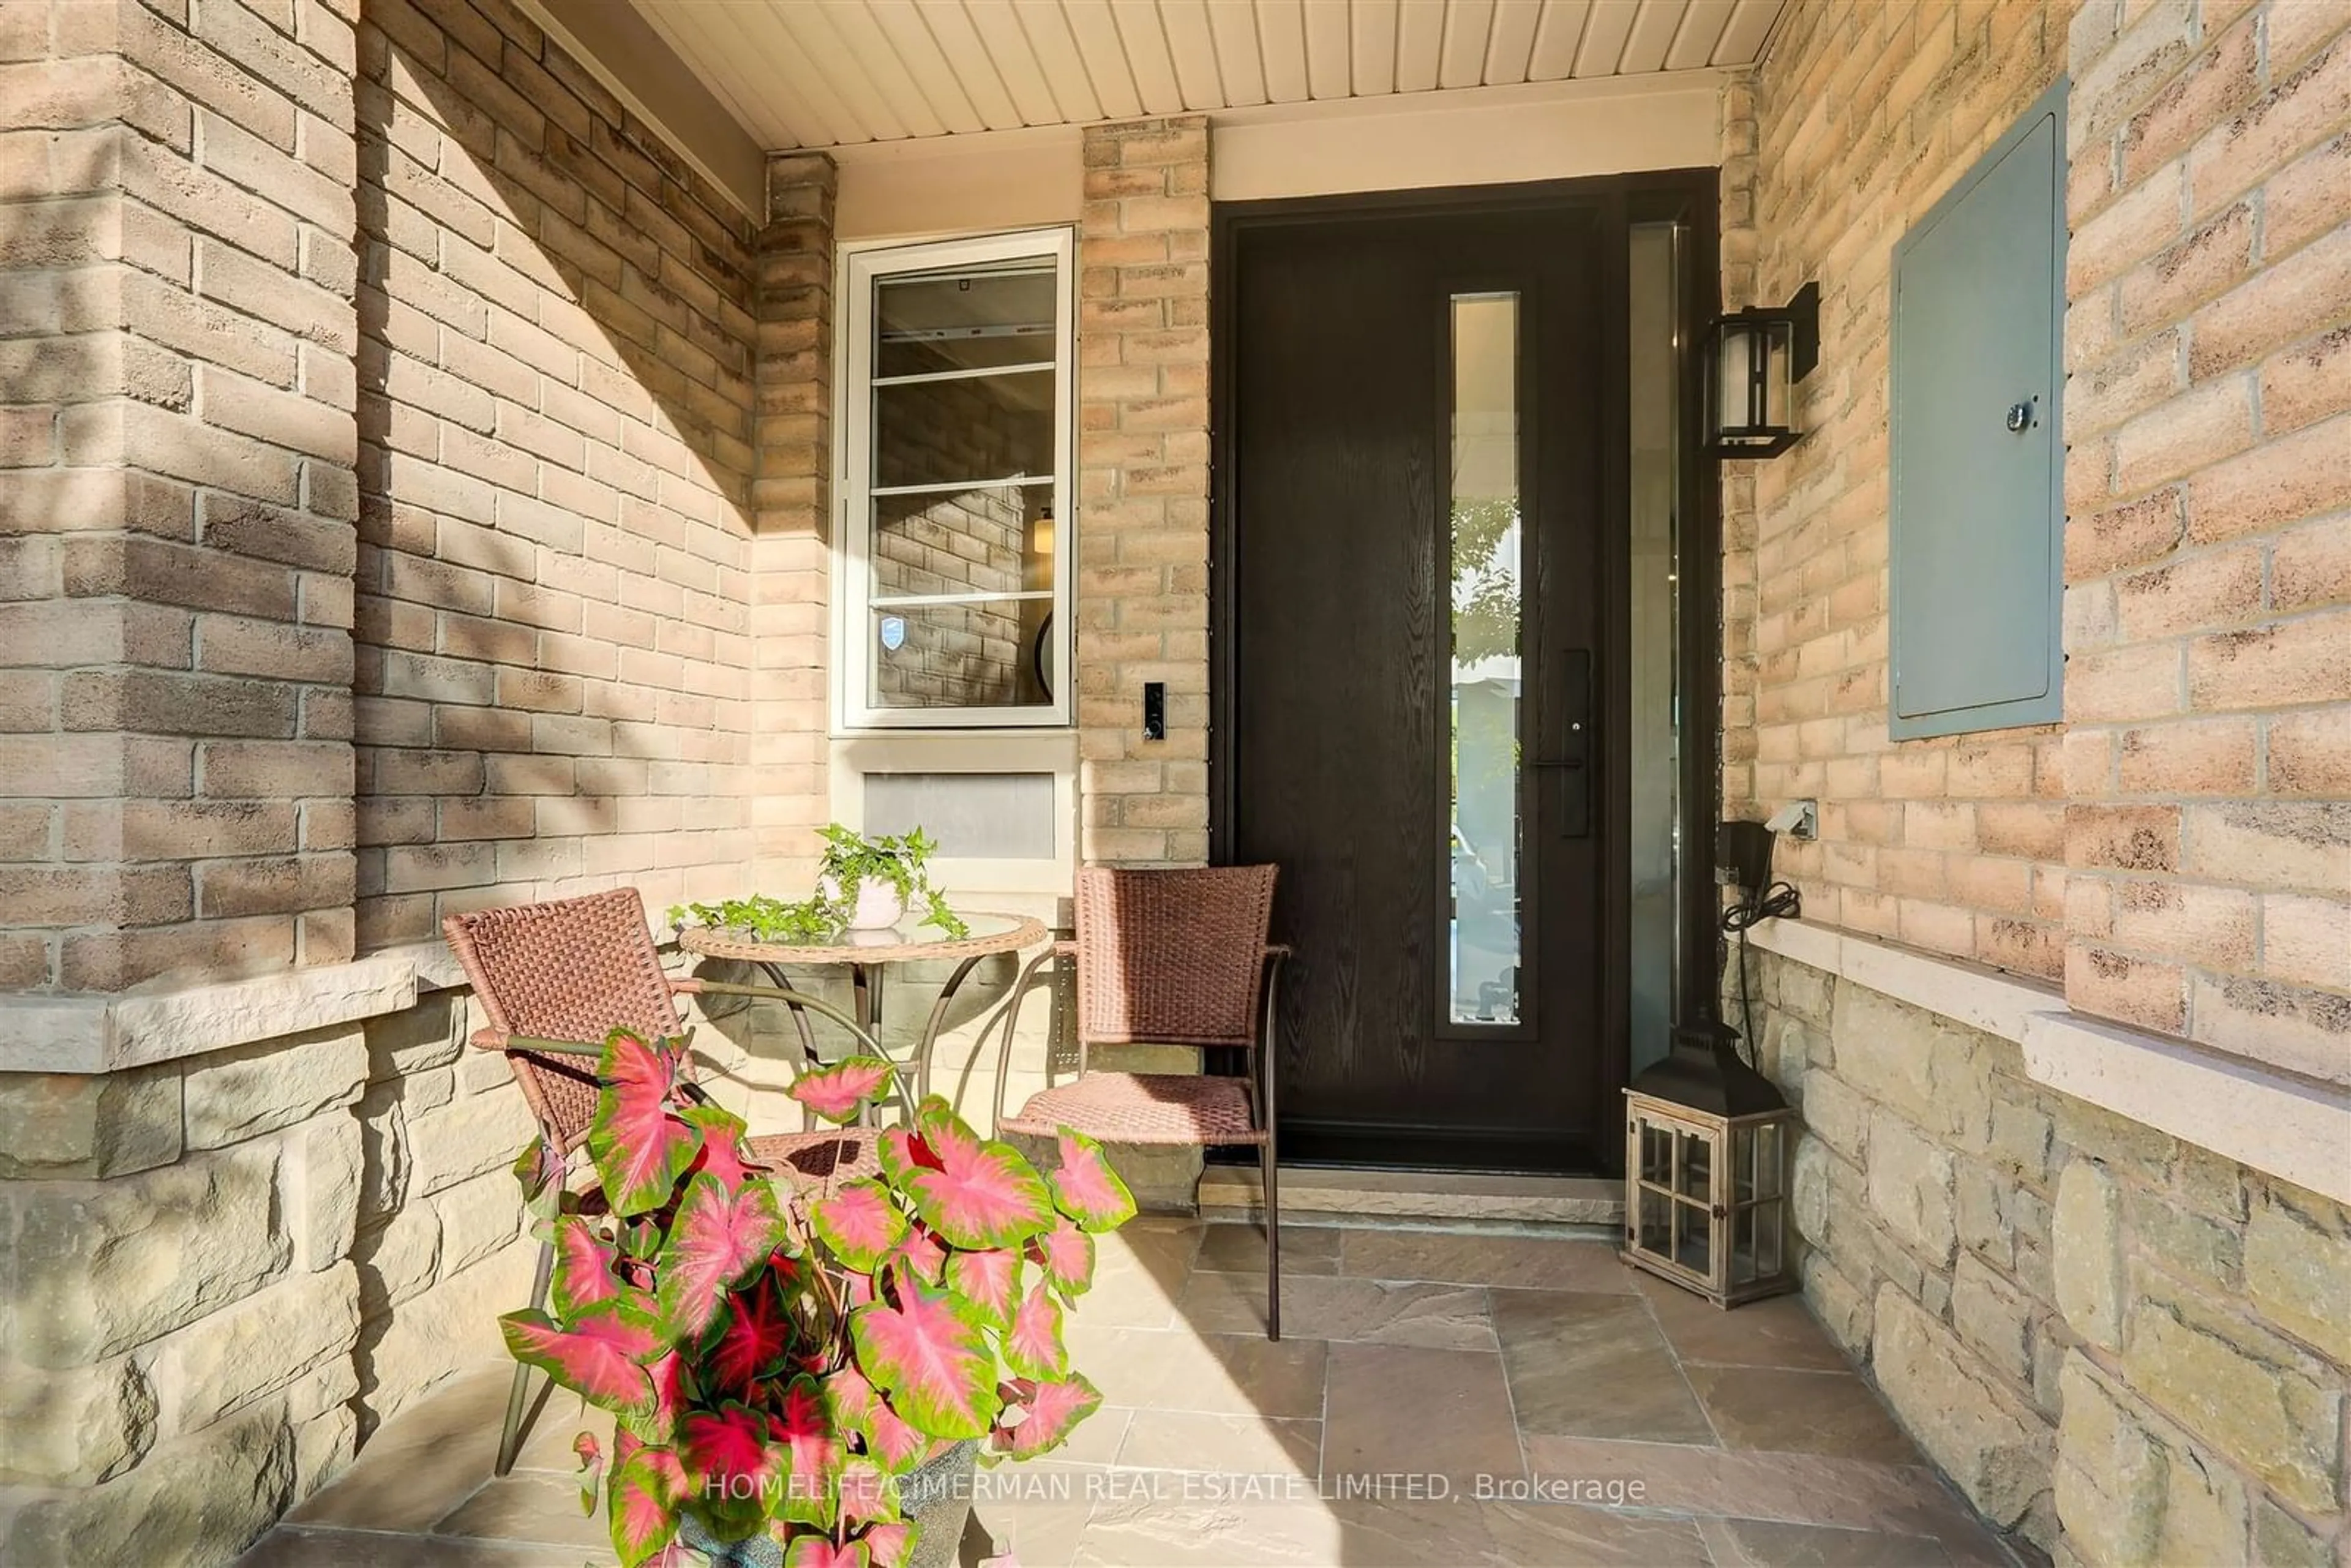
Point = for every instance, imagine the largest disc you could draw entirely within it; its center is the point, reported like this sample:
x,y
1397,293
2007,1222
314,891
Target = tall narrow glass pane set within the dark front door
x,y
1487,584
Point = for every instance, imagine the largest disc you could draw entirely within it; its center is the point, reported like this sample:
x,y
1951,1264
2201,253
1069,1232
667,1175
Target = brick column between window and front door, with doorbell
x,y
1144,490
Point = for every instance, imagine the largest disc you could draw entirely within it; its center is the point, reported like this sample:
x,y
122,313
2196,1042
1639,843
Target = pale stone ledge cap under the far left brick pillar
x,y
138,1031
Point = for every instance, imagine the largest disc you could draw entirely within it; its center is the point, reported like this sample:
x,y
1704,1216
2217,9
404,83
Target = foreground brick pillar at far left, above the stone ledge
x,y
178,490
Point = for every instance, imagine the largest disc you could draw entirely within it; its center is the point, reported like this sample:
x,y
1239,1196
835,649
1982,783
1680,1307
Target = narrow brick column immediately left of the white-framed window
x,y
791,516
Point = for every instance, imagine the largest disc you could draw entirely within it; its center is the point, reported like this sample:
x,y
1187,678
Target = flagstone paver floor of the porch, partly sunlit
x,y
1454,1398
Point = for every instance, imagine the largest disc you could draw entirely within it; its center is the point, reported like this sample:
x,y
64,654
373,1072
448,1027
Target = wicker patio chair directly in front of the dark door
x,y
1172,958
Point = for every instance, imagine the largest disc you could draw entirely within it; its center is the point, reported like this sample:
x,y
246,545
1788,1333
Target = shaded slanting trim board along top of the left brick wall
x,y
659,91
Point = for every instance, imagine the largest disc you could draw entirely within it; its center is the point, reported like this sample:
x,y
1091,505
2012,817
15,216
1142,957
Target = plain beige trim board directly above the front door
x,y
1468,138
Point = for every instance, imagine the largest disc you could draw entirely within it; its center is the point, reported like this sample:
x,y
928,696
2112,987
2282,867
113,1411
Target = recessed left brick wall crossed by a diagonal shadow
x,y
556,565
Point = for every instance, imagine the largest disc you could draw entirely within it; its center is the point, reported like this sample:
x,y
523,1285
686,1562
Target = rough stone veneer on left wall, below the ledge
x,y
229,1268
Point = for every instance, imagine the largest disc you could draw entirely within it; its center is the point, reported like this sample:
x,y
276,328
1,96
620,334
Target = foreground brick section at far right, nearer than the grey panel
x,y
2209,551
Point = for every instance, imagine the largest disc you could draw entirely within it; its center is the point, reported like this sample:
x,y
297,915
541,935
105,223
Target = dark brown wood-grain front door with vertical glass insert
x,y
1416,594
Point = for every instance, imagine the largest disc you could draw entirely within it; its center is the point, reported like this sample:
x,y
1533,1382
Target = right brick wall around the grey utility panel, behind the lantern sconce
x,y
1863,119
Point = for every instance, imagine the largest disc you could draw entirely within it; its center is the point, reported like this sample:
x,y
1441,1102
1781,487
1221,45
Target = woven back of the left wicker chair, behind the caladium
x,y
572,970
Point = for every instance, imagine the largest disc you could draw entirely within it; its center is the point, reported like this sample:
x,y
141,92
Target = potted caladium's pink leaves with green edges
x,y
782,1358
